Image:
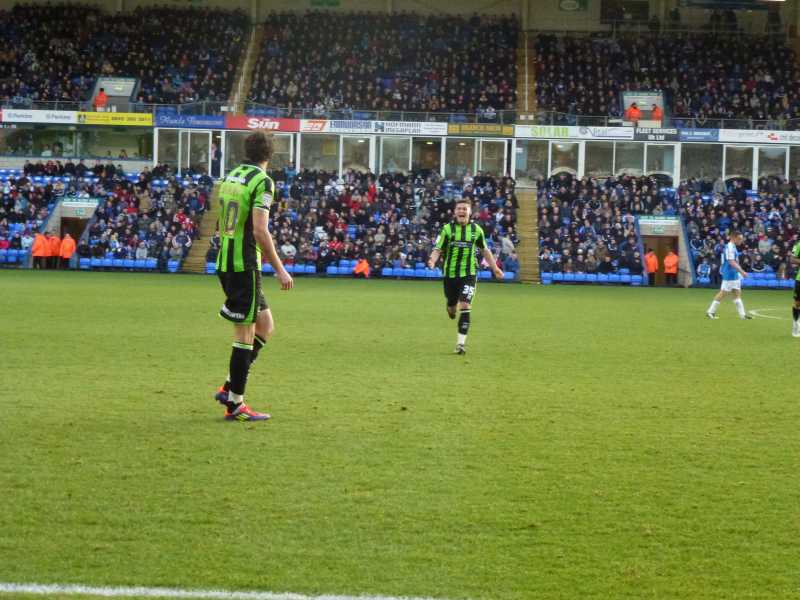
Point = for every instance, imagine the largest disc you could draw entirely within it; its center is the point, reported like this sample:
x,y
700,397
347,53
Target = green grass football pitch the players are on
x,y
592,443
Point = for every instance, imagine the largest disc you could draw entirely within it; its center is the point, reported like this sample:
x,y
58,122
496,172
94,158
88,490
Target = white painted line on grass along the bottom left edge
x,y
144,592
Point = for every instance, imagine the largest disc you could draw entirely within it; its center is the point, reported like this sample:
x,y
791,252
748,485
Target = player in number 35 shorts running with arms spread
x,y
457,242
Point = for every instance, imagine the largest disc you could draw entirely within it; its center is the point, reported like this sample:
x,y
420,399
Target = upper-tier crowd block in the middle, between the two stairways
x,y
402,62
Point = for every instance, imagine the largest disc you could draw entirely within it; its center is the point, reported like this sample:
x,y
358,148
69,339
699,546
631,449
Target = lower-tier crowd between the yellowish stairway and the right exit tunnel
x,y
588,225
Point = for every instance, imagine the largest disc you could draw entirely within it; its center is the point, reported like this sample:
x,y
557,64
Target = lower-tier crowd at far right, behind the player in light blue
x,y
769,221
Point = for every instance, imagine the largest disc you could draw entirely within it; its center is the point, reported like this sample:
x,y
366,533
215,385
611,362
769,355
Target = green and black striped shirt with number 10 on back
x,y
244,190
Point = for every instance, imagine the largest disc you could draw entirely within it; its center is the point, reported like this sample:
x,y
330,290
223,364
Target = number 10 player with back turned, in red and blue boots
x,y
245,197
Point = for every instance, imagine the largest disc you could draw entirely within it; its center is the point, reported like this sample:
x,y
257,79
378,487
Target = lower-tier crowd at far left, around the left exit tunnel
x,y
152,215
